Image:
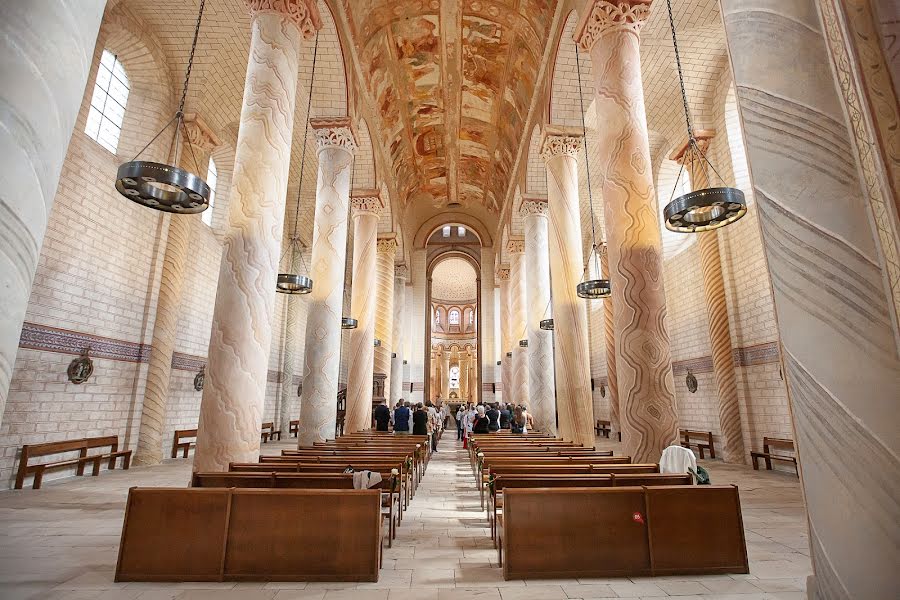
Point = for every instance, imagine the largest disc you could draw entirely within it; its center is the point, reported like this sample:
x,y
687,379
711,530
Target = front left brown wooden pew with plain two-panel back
x,y
214,534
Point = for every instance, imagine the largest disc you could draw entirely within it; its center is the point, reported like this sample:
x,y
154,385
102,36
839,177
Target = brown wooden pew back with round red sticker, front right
x,y
621,532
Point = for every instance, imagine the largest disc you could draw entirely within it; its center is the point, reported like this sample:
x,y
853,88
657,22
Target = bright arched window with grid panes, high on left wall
x,y
107,112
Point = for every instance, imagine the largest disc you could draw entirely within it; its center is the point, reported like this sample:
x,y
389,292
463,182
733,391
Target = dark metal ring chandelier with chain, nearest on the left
x,y
162,186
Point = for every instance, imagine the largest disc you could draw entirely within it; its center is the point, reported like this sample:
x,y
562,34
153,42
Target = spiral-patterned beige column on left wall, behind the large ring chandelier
x,y
168,305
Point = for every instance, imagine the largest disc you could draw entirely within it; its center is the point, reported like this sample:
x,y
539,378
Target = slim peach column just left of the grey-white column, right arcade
x,y
518,310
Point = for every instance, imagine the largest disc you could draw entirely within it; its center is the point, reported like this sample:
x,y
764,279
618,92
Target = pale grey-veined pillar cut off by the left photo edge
x,y
47,49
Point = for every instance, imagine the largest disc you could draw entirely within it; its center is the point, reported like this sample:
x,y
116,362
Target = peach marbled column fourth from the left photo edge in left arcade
x,y
367,208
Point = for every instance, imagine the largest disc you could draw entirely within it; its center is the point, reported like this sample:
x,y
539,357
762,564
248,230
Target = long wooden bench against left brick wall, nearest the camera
x,y
82,446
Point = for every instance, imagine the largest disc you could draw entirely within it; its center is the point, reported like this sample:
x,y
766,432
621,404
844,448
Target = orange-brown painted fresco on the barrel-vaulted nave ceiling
x,y
452,83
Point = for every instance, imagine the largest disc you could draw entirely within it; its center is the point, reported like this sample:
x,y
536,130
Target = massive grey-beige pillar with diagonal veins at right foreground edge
x,y
822,235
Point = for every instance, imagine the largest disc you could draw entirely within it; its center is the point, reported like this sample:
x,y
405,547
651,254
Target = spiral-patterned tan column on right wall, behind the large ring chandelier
x,y
716,310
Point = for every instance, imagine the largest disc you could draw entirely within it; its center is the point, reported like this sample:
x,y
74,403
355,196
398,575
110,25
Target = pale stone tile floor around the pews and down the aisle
x,y
61,543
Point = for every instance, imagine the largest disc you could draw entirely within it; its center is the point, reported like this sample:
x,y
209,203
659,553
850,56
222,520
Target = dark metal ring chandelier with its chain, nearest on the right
x,y
705,209
